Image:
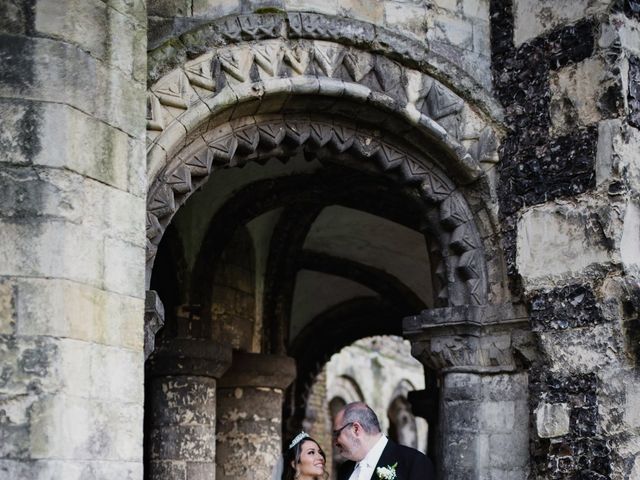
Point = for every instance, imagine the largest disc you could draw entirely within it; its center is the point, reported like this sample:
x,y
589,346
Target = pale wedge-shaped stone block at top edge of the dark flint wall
x,y
534,17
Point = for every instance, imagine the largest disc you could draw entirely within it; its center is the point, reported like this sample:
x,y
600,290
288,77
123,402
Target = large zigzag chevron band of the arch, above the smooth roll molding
x,y
209,73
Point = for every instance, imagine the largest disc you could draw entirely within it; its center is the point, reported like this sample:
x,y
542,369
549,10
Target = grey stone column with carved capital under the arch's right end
x,y
484,415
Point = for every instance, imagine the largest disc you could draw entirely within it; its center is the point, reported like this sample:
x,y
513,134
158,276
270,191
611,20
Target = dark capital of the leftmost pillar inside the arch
x,y
190,356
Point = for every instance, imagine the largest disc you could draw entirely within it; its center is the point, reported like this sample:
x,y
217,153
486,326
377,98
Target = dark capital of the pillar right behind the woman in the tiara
x,y
259,370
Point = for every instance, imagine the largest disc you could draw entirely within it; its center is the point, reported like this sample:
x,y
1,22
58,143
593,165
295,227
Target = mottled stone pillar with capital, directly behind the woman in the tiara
x,y
250,397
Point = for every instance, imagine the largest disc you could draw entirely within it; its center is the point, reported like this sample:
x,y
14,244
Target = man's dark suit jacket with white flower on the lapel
x,y
412,465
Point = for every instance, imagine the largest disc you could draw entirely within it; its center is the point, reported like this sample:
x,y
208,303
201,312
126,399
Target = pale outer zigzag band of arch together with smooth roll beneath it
x,y
254,72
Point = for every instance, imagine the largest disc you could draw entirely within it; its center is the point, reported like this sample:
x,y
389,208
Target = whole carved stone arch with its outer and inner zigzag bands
x,y
197,127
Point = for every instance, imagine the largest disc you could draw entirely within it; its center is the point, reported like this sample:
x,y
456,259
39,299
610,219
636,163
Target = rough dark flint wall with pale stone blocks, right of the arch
x,y
568,190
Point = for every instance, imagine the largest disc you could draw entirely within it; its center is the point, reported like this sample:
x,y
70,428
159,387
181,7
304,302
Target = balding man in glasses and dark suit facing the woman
x,y
371,455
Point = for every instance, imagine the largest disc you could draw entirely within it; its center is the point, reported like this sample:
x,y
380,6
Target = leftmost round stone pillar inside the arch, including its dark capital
x,y
182,404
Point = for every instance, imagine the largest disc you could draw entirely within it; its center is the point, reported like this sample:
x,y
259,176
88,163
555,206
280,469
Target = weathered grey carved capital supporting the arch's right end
x,y
470,338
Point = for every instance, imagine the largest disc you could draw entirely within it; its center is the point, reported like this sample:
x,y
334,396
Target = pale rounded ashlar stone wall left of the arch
x,y
72,177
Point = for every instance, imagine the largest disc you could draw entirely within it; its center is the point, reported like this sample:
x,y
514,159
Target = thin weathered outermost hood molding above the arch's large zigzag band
x,y
196,37
